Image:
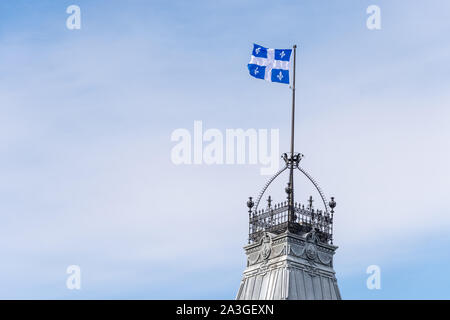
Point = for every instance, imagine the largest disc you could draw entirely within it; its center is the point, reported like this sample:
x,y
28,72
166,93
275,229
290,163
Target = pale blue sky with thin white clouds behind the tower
x,y
86,118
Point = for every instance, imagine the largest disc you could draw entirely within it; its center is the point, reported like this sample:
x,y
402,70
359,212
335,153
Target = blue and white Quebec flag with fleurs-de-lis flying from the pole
x,y
270,64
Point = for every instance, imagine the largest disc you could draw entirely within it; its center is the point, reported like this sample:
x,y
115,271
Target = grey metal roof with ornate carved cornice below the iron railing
x,y
289,266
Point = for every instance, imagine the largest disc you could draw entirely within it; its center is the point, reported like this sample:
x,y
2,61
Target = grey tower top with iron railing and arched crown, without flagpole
x,y
290,249
